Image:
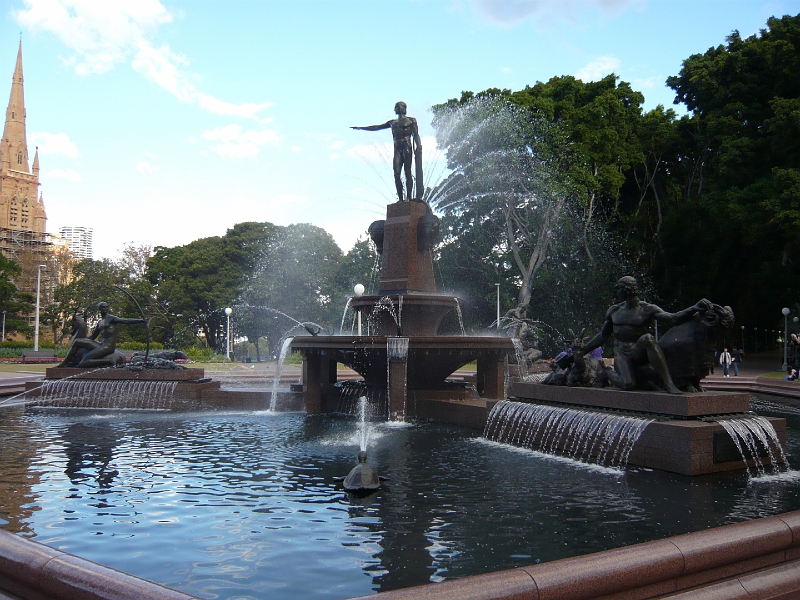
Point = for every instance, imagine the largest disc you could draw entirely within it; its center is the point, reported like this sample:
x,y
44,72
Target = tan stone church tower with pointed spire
x,y
21,203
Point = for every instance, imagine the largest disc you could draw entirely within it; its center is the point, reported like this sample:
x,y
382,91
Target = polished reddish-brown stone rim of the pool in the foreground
x,y
759,556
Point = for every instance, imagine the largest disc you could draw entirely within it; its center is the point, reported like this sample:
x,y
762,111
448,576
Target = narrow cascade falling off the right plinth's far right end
x,y
755,437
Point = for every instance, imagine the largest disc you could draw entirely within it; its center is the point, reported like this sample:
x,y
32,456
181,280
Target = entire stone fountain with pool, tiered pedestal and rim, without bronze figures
x,y
243,504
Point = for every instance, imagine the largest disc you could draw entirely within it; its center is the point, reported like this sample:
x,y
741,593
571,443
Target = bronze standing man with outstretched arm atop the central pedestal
x,y
406,144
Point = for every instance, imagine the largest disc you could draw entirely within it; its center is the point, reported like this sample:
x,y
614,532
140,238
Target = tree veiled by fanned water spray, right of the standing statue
x,y
508,180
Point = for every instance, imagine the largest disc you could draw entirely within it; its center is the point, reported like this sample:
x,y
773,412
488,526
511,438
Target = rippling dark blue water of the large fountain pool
x,y
248,505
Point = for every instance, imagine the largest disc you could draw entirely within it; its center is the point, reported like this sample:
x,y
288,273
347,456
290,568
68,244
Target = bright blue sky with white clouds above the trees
x,y
161,122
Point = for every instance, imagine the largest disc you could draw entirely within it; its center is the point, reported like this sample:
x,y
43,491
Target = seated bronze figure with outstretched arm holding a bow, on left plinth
x,y
87,352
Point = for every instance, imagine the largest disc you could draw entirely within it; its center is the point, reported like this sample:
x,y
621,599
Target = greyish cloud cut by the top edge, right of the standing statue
x,y
508,13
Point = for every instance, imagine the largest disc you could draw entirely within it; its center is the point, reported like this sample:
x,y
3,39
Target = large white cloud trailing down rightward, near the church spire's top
x,y
103,34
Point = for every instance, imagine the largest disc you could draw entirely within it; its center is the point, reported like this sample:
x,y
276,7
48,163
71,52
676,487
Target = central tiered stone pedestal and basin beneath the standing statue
x,y
403,353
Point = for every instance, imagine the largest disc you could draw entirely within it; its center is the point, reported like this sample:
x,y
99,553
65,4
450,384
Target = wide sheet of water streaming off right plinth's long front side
x,y
606,439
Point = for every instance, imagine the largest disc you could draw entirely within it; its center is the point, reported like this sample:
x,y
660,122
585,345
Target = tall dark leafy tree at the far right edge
x,y
737,233
